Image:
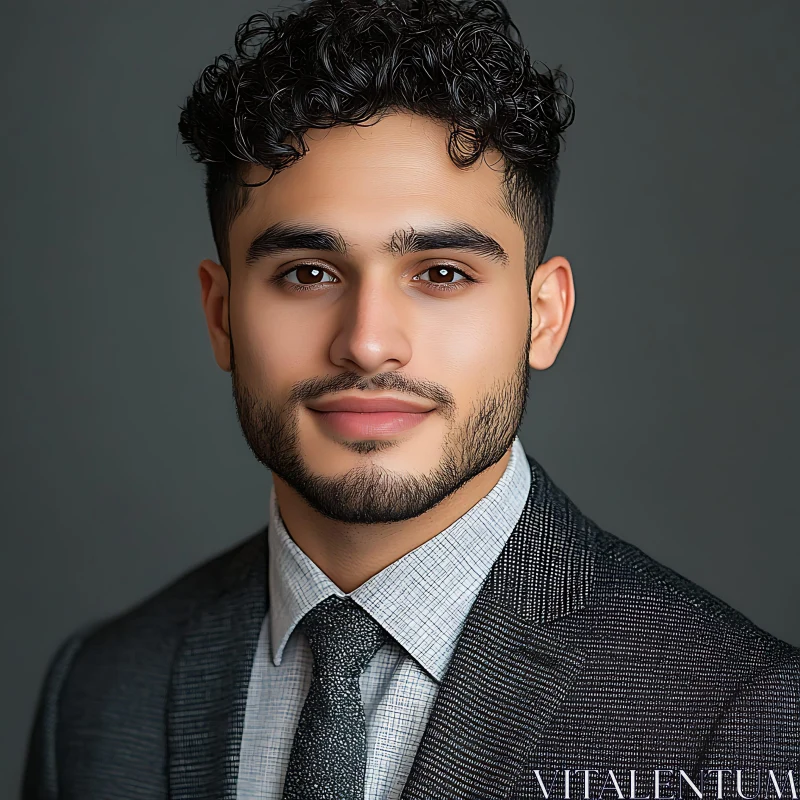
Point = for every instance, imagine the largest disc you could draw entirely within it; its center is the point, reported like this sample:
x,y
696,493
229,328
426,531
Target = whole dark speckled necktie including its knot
x,y
329,752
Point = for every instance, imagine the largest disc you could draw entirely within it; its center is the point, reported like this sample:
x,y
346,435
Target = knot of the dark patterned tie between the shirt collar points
x,y
342,636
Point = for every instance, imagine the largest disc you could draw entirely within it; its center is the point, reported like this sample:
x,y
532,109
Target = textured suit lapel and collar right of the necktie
x,y
517,656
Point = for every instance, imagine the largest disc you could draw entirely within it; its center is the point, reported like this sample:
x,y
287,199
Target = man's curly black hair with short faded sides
x,y
337,62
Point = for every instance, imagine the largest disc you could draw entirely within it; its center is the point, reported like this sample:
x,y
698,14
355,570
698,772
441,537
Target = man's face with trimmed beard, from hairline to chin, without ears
x,y
387,272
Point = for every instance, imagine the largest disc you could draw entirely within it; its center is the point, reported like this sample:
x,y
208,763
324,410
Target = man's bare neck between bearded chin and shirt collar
x,y
351,554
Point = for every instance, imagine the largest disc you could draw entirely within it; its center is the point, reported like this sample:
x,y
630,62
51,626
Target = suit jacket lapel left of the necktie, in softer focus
x,y
210,678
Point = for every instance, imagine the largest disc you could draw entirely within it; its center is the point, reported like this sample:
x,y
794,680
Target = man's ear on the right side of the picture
x,y
552,303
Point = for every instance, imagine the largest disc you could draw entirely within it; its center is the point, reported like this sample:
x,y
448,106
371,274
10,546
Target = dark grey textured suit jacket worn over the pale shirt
x,y
580,652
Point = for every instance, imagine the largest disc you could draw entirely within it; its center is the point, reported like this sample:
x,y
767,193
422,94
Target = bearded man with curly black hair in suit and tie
x,y
426,615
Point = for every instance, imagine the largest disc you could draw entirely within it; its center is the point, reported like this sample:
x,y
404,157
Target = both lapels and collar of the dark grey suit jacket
x,y
518,654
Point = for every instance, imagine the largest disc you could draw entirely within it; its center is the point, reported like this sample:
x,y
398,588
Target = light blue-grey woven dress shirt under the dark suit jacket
x,y
422,600
